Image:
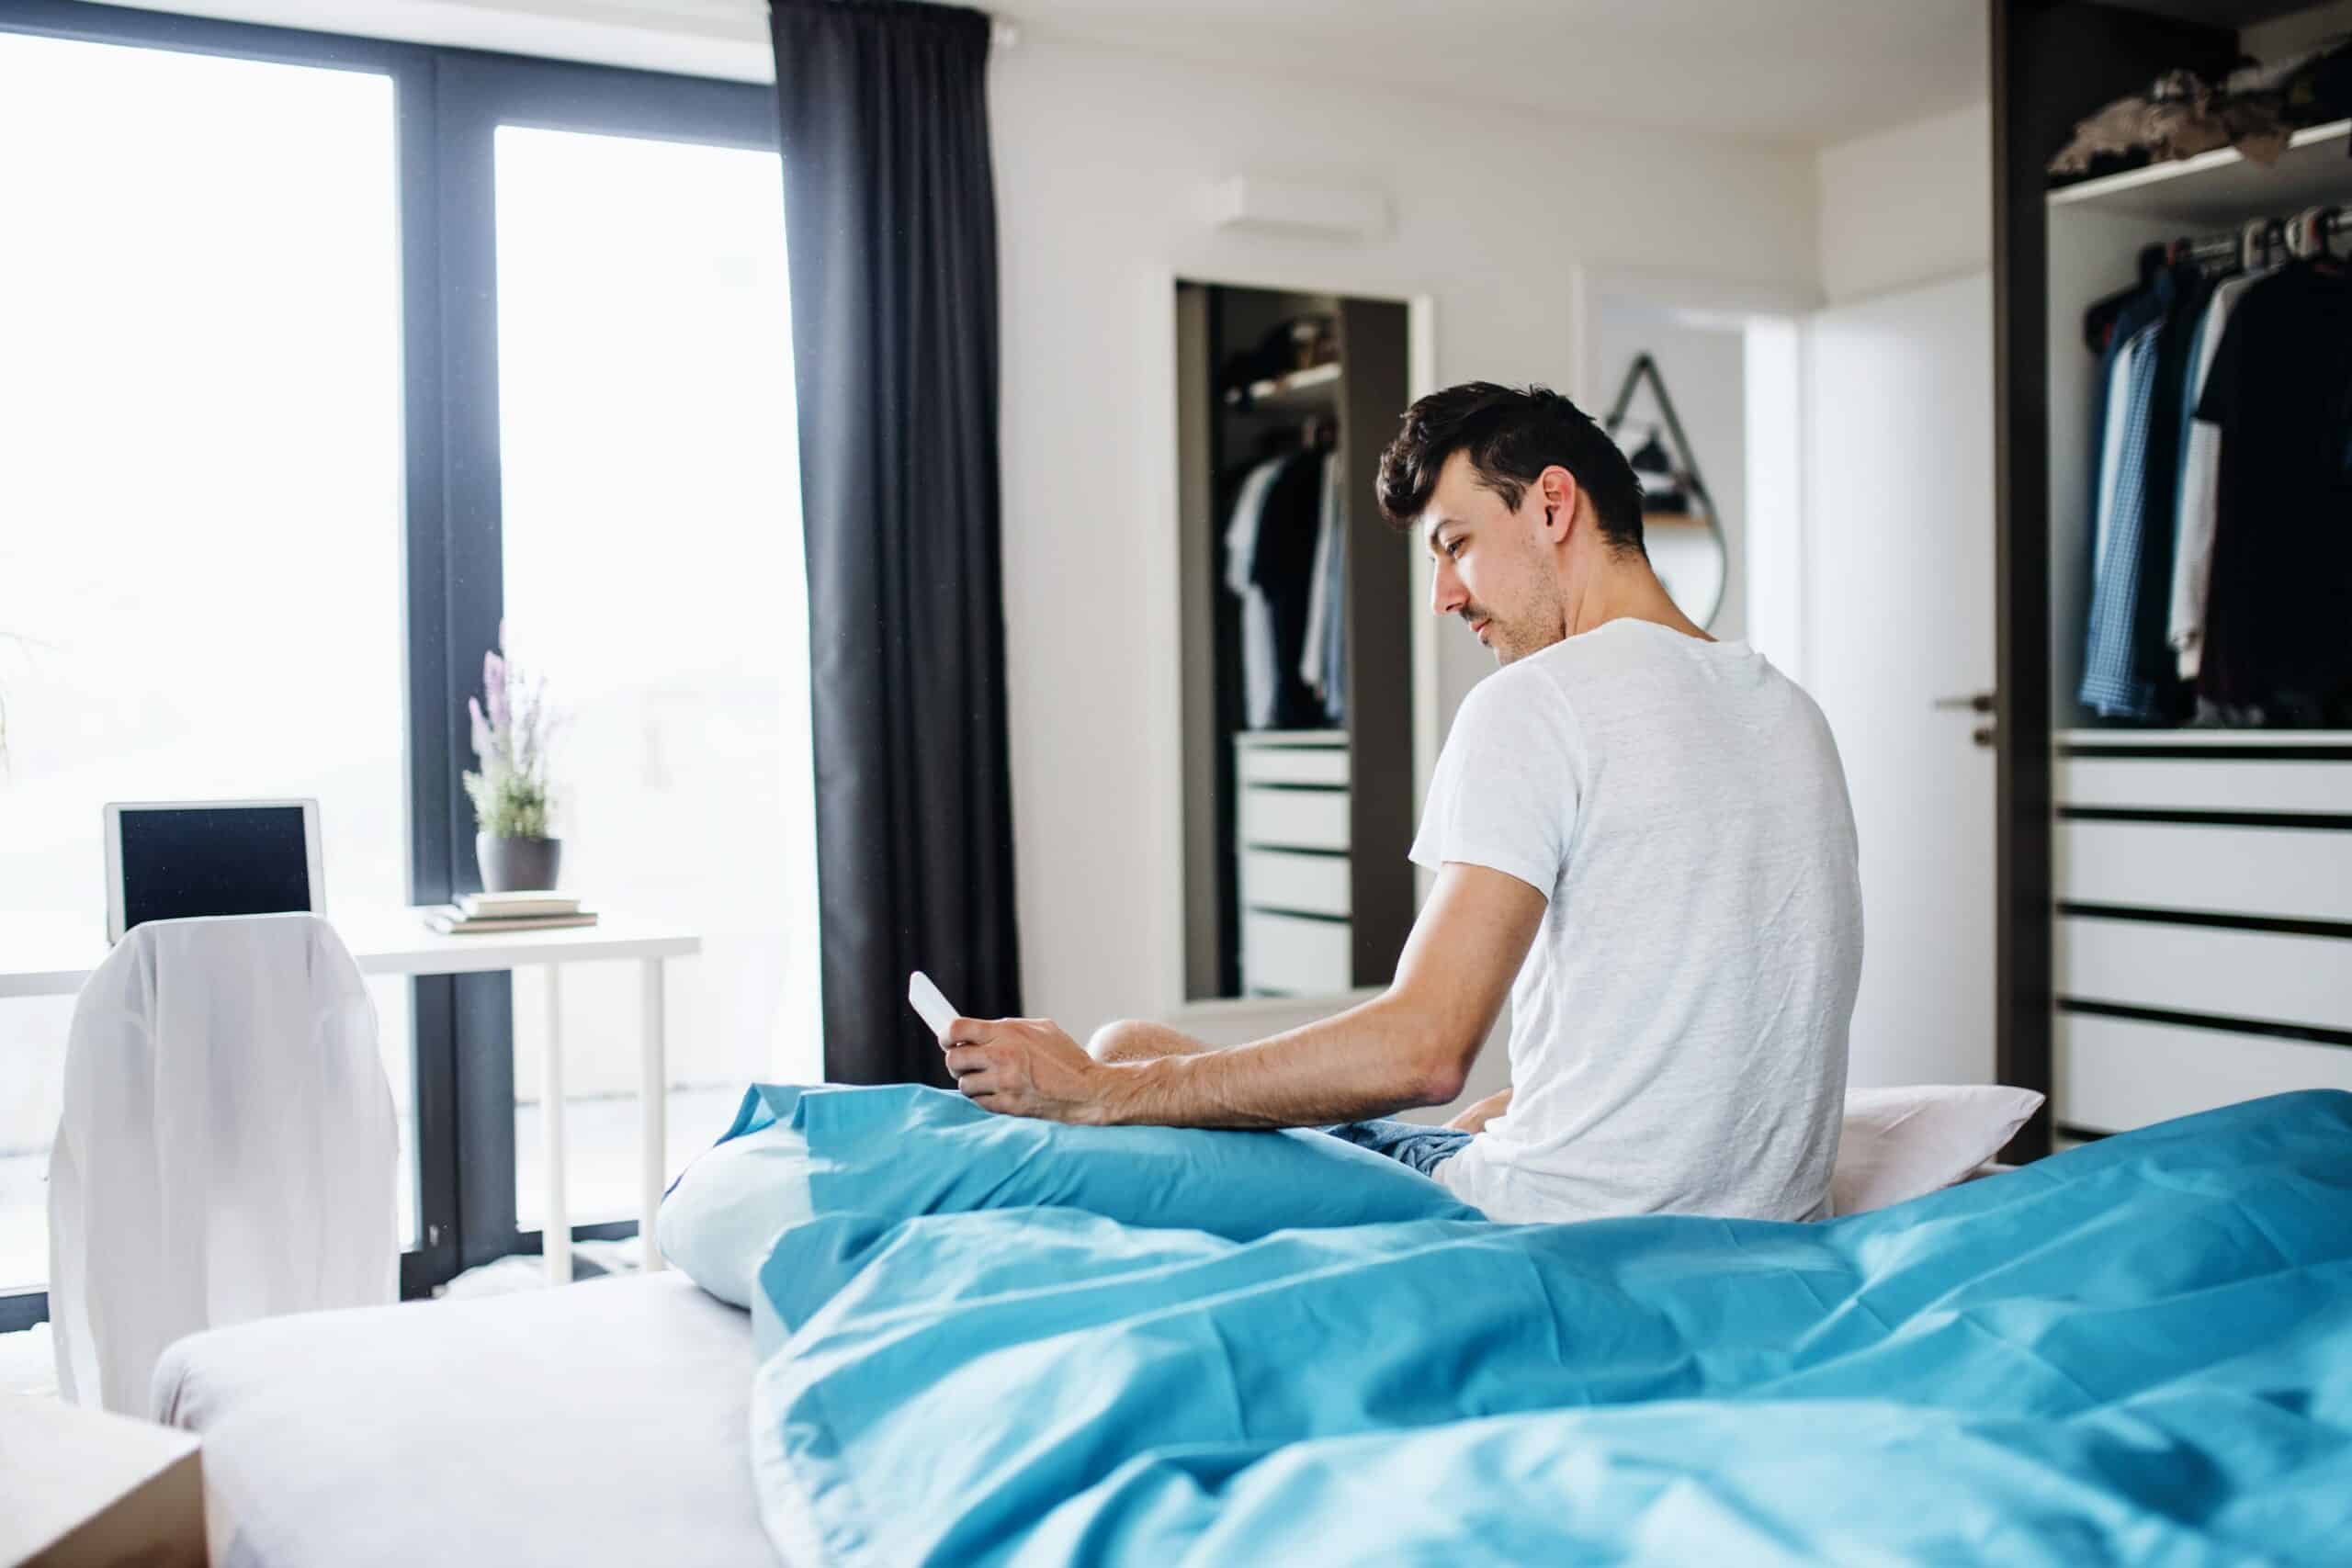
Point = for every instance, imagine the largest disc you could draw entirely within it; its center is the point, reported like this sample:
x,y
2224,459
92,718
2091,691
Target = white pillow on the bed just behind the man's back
x,y
1902,1144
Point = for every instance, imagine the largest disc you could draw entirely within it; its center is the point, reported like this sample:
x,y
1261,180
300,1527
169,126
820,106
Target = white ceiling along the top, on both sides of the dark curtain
x,y
1786,72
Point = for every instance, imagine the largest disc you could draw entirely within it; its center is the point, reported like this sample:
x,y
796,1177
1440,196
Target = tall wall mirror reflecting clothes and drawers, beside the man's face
x,y
1297,643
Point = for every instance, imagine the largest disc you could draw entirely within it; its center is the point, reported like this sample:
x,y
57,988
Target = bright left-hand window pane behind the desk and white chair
x,y
201,530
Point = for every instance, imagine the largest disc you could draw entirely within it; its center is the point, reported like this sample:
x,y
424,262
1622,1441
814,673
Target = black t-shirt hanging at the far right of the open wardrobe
x,y
2278,615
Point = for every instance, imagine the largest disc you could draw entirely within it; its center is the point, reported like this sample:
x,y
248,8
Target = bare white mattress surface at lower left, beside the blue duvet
x,y
603,1423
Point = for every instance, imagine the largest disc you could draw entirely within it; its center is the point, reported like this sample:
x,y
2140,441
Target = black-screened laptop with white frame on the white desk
x,y
218,857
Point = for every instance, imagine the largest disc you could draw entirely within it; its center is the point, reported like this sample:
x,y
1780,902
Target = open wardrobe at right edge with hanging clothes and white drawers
x,y
2174,871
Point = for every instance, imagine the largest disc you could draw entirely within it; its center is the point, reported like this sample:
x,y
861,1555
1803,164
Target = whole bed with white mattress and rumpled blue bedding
x,y
965,1346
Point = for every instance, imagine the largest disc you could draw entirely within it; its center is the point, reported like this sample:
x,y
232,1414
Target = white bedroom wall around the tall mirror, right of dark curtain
x,y
1100,156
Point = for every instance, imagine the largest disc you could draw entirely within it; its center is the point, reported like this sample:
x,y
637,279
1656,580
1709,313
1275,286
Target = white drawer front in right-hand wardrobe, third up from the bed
x,y
2283,873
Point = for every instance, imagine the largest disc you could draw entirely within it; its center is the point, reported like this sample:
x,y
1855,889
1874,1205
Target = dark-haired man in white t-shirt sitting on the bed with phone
x,y
1641,838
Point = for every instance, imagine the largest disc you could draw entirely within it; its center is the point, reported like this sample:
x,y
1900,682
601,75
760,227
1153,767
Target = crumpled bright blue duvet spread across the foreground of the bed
x,y
2137,1353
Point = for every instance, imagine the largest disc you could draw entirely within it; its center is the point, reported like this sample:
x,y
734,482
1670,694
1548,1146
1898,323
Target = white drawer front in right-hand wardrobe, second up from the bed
x,y
2269,977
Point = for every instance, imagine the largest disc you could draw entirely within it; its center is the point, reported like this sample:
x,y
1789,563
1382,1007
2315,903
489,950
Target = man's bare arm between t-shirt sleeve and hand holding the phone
x,y
1403,1050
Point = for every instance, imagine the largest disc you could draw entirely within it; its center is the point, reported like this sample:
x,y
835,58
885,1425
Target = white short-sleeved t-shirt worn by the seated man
x,y
1678,1031
